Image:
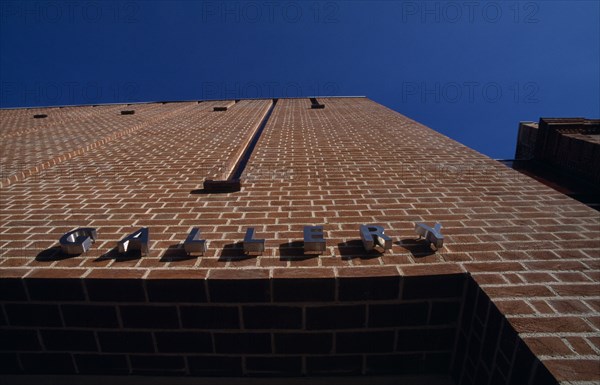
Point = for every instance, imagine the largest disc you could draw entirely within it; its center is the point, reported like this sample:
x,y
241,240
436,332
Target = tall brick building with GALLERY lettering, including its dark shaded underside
x,y
512,296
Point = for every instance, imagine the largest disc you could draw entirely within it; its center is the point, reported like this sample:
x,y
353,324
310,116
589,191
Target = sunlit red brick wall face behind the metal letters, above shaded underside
x,y
533,251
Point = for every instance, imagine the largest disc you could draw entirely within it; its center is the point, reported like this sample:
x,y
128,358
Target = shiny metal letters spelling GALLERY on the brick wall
x,y
79,241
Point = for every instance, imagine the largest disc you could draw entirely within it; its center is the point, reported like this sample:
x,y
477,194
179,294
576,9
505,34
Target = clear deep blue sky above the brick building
x,y
471,70
